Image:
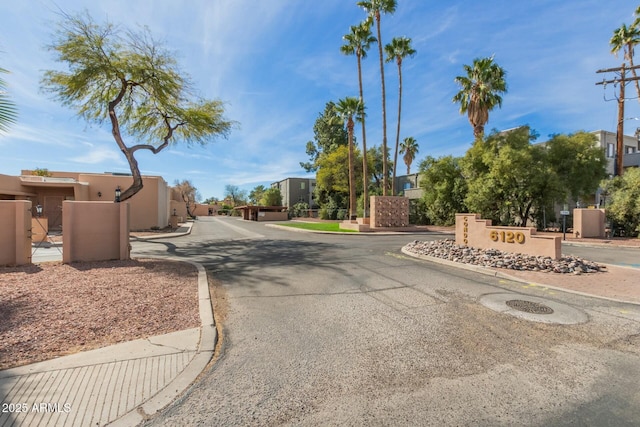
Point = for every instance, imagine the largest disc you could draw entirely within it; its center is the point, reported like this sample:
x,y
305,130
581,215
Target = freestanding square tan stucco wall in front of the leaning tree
x,y
95,231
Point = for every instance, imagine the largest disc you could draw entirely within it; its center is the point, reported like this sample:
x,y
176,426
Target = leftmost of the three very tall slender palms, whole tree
x,y
358,42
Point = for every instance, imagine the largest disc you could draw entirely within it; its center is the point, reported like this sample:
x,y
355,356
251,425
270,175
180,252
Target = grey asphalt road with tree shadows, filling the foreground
x,y
324,329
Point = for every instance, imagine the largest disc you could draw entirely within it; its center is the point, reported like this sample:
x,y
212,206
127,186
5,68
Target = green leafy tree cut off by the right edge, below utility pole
x,y
624,201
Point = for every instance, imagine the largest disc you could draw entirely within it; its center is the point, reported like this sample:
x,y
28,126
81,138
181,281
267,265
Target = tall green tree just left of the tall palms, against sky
x,y
329,134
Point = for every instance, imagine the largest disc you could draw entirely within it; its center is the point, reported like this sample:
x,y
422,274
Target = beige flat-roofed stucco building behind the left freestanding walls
x,y
149,208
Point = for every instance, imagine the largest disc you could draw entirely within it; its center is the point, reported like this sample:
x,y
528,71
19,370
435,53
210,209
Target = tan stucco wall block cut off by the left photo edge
x,y
15,233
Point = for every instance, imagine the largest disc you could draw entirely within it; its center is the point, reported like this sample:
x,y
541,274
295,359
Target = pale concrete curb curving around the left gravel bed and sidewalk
x,y
206,346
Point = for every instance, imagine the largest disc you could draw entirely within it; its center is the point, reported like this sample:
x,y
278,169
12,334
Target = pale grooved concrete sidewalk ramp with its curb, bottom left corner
x,y
119,385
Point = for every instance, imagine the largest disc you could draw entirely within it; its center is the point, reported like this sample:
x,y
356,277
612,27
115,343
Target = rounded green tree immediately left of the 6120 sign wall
x,y
444,189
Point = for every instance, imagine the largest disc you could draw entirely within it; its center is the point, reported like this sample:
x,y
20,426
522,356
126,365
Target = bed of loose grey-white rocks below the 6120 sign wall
x,y
449,250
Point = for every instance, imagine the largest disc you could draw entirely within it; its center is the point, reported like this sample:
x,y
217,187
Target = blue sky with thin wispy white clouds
x,y
276,63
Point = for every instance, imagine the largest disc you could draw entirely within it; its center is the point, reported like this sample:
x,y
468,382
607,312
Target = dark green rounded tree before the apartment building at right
x,y
578,162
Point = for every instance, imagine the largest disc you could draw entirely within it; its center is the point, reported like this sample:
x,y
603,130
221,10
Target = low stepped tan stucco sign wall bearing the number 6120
x,y
478,233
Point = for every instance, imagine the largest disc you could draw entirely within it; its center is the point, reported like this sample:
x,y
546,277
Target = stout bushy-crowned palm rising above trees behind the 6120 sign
x,y
480,93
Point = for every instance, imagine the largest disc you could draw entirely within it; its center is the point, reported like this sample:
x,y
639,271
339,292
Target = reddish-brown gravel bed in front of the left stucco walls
x,y
53,309
